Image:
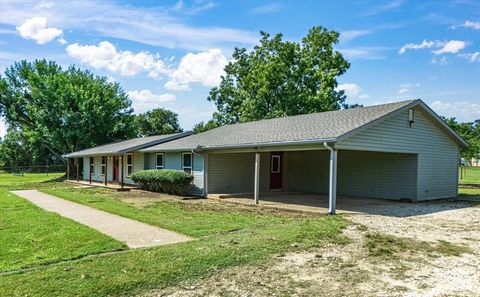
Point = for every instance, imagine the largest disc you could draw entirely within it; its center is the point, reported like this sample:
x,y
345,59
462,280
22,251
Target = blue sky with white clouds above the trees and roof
x,y
170,53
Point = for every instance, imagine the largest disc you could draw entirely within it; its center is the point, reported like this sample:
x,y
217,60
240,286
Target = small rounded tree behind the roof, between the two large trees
x,y
156,122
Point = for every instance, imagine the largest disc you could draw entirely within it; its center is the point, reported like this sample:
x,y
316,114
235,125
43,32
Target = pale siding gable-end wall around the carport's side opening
x,y
437,152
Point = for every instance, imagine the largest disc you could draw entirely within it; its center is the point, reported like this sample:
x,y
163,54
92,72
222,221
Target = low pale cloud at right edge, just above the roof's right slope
x,y
462,110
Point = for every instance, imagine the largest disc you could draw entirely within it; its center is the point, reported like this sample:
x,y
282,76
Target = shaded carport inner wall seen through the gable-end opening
x,y
376,174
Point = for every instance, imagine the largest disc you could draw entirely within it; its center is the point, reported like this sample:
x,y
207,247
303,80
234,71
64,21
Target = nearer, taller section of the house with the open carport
x,y
400,150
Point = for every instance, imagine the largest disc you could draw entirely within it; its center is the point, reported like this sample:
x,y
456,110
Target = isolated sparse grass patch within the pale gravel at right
x,y
389,246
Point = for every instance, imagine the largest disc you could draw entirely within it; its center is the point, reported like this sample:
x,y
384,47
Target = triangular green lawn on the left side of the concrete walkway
x,y
30,236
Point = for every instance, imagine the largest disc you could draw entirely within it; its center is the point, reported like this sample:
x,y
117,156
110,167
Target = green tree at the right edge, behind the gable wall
x,y
470,132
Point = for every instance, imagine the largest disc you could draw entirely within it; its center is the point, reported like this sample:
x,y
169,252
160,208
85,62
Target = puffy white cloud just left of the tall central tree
x,y
204,68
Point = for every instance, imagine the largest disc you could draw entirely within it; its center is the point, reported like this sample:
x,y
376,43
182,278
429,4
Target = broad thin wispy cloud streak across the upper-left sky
x,y
152,26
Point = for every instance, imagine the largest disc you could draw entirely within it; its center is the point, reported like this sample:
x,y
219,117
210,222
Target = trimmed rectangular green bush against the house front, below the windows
x,y
175,182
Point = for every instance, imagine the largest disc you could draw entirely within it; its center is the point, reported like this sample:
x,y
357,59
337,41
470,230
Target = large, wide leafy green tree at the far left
x,y
65,110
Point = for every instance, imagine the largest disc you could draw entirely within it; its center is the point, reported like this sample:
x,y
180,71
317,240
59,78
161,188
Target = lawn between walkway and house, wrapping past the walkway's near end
x,y
226,236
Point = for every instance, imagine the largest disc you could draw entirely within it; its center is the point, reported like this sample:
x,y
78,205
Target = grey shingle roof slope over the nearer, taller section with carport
x,y
316,126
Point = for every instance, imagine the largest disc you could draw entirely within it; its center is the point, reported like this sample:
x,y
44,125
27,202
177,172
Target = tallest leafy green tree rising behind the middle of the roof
x,y
281,78
